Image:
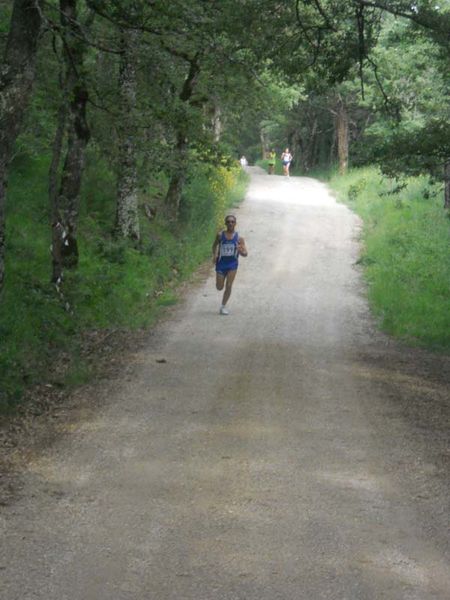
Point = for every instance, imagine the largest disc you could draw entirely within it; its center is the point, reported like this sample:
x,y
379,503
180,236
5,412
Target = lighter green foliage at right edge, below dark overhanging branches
x,y
410,131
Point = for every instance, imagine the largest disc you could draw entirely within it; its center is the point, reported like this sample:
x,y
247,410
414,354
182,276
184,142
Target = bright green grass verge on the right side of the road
x,y
405,255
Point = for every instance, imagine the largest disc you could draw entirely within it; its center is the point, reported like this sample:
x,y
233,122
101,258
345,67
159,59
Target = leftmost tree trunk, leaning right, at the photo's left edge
x,y
16,81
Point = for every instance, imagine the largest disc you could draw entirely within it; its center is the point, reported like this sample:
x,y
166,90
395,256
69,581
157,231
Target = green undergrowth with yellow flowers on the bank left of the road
x,y
117,285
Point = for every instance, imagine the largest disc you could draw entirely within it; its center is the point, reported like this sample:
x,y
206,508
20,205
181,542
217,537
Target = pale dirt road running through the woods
x,y
286,451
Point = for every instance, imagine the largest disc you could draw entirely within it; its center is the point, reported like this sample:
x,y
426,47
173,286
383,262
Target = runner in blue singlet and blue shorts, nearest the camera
x,y
226,249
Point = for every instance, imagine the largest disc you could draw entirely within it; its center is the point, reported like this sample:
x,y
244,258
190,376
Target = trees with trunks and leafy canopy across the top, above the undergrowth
x,y
156,87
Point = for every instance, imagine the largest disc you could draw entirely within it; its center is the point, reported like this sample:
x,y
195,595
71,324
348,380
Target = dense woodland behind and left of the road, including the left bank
x,y
122,122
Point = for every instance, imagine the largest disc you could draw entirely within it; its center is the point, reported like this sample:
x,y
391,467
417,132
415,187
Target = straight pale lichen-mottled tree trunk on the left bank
x,y
127,219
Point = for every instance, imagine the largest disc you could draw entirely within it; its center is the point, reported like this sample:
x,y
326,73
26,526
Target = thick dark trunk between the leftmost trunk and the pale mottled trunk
x,y
66,206
